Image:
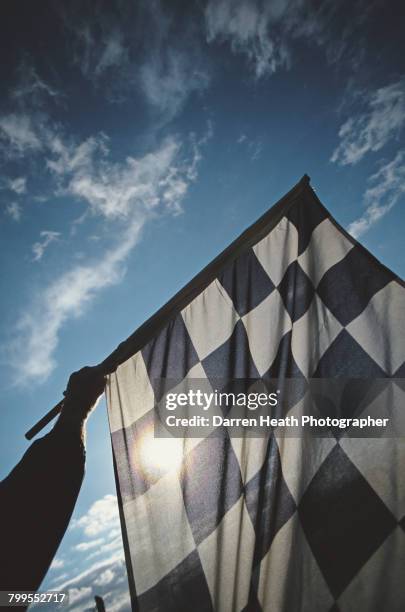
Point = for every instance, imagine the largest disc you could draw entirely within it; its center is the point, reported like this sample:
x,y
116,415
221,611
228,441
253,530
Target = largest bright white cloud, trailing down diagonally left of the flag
x,y
127,195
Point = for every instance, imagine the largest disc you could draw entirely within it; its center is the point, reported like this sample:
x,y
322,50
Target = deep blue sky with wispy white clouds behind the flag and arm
x,y
137,140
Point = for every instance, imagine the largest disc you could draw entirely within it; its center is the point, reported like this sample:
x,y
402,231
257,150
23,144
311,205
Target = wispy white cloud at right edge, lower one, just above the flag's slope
x,y
388,187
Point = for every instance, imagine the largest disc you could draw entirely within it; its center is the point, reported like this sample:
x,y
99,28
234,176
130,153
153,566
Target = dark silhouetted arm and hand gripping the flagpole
x,y
38,497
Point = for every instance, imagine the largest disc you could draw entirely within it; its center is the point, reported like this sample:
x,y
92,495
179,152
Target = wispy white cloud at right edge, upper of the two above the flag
x,y
369,131
